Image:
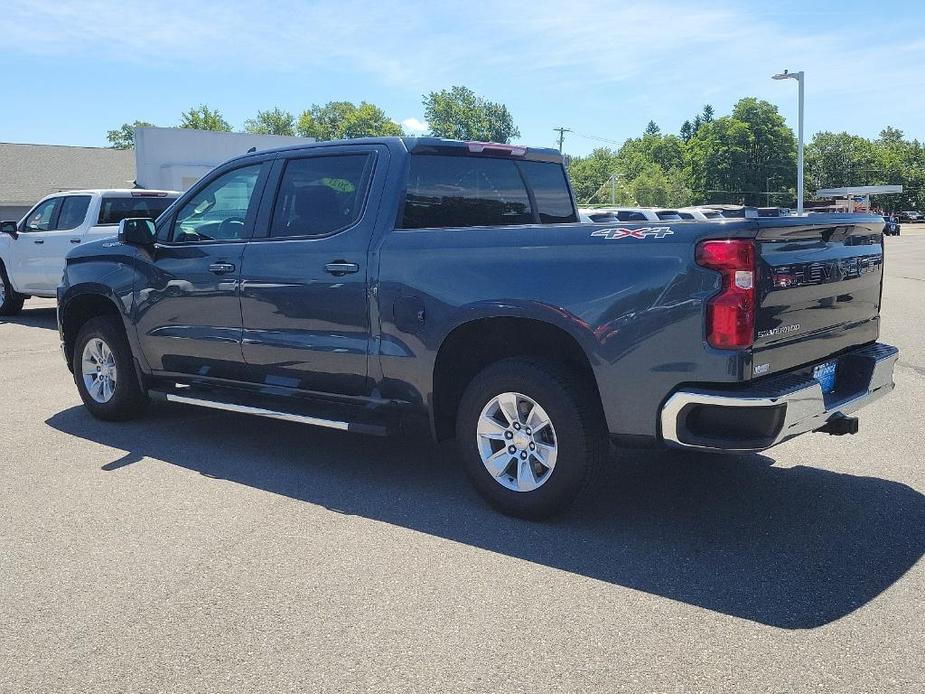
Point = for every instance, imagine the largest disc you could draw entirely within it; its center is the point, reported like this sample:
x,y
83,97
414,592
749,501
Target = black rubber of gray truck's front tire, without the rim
x,y
128,399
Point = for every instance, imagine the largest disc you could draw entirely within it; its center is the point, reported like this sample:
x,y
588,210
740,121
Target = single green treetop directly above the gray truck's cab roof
x,y
460,114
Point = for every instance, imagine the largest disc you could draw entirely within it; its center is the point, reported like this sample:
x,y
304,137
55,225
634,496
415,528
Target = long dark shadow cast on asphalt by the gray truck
x,y
795,548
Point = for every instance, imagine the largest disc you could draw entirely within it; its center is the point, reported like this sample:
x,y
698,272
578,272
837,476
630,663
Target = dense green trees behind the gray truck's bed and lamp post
x,y
747,157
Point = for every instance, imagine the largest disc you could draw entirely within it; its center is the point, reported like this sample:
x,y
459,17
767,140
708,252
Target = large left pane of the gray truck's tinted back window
x,y
460,191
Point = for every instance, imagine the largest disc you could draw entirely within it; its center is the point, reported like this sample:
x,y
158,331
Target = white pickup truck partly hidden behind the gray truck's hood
x,y
32,250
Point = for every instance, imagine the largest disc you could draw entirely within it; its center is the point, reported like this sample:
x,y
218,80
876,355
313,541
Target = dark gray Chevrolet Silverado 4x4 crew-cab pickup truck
x,y
415,284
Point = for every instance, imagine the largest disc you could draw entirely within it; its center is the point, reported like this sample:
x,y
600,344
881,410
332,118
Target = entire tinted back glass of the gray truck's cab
x,y
459,191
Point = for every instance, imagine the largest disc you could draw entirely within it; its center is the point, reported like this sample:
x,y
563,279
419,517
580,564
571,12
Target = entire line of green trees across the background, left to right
x,y
746,157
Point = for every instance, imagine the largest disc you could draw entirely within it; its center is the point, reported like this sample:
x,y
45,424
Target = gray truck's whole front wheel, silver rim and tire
x,y
104,371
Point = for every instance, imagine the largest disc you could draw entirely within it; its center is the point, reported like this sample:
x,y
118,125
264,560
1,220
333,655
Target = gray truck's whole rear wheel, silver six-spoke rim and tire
x,y
531,435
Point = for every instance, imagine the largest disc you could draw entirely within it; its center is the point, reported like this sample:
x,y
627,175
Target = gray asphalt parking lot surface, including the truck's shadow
x,y
196,551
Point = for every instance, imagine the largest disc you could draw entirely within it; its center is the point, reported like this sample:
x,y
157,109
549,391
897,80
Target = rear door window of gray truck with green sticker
x,y
321,195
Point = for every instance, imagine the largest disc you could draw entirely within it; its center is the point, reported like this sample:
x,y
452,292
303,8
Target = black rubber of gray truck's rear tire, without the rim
x,y
580,433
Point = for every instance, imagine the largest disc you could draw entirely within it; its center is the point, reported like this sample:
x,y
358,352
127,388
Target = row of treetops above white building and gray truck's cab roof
x,y
457,113
